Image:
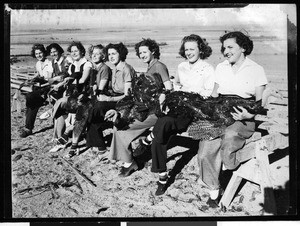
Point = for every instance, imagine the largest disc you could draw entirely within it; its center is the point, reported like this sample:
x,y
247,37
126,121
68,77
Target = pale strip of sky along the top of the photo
x,y
272,16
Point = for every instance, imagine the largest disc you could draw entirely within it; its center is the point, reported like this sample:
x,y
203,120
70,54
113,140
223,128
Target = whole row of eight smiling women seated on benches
x,y
85,95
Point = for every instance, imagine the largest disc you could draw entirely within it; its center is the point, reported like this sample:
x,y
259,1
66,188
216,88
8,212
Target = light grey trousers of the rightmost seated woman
x,y
212,154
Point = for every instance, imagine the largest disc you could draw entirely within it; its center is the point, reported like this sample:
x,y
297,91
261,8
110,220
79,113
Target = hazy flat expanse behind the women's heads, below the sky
x,y
269,49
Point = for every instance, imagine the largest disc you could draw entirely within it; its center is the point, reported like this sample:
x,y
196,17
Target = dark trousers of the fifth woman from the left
x,y
96,124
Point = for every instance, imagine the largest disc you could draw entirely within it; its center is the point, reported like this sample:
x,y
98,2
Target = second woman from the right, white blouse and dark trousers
x,y
193,75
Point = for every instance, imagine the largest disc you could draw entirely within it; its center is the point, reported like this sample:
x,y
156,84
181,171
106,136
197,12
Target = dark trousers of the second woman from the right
x,y
164,128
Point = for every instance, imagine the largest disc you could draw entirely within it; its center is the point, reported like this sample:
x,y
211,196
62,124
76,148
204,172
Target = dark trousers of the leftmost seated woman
x,y
34,101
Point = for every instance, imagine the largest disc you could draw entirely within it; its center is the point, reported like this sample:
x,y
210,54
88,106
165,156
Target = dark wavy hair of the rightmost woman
x,y
241,39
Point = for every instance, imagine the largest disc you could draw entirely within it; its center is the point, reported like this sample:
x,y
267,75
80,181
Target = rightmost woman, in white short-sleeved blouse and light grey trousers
x,y
249,81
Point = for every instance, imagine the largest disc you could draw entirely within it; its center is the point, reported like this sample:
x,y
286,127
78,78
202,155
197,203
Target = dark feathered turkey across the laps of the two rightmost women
x,y
210,116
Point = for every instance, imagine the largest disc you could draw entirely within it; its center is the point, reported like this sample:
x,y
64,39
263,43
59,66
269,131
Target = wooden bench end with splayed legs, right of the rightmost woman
x,y
254,156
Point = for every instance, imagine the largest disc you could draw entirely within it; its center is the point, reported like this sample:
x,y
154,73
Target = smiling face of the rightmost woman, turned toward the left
x,y
232,51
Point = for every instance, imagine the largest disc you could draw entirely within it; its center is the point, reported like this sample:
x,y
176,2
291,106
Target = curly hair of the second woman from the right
x,y
204,48
